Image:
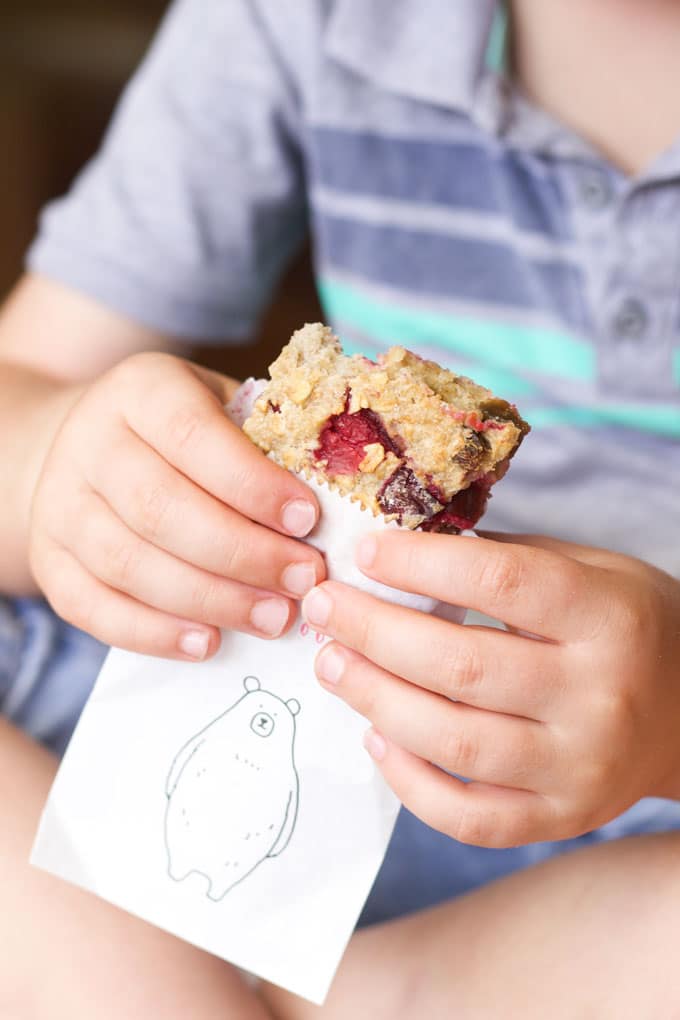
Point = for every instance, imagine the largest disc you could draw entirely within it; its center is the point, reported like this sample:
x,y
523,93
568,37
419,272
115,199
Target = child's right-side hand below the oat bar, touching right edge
x,y
559,736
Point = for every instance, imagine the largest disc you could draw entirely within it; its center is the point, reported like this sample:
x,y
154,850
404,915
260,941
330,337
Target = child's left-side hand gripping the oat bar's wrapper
x,y
155,520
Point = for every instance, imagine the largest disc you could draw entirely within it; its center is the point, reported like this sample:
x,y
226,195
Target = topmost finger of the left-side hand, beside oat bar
x,y
193,433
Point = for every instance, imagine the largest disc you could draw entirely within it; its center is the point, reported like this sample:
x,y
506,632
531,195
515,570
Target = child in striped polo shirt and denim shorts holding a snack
x,y
515,219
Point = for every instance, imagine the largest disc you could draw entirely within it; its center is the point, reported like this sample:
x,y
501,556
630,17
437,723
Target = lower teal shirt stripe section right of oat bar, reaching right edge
x,y
656,419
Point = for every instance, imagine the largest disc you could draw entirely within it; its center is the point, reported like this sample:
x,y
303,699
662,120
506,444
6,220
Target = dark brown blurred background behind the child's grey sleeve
x,y
63,66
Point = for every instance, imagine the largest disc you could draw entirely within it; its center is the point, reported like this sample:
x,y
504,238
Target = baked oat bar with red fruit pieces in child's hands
x,y
407,439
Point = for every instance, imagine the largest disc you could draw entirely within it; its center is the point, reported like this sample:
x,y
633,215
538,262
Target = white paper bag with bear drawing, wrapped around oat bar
x,y
232,802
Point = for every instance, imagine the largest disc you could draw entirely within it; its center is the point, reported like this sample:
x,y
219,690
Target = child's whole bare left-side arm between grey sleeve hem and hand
x,y
54,342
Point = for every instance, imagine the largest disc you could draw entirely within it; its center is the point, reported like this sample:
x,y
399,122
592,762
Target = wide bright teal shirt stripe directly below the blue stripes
x,y
500,345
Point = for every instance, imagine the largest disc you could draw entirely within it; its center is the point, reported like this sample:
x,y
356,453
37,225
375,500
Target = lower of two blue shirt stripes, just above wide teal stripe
x,y
438,266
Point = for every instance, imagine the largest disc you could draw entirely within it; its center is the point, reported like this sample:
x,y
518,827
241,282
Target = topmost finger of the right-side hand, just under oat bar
x,y
535,590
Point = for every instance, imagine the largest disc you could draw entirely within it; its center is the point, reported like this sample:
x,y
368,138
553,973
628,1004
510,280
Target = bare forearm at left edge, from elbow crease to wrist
x,y
32,409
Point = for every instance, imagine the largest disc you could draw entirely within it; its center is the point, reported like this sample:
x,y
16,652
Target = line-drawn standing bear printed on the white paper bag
x,y
233,792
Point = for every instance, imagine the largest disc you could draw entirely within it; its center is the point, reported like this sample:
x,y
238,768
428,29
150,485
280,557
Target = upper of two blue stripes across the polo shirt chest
x,y
461,175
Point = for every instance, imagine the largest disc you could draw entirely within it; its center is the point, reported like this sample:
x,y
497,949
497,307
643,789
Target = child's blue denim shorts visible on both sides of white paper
x,y
47,670
